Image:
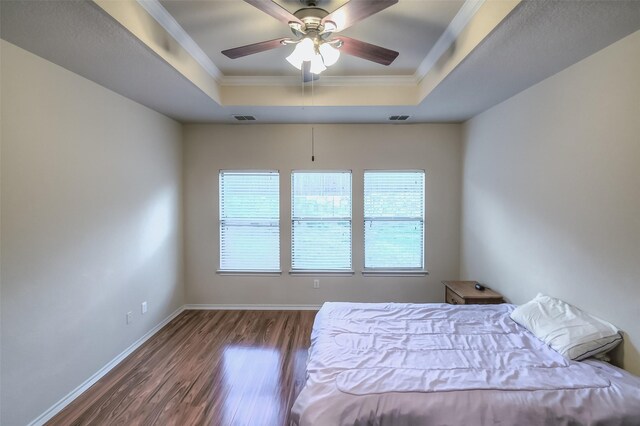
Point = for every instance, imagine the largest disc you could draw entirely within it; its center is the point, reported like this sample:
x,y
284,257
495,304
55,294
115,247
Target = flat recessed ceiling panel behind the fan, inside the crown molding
x,y
410,27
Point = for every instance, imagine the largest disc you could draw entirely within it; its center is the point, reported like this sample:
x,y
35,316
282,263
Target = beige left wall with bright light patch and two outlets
x,y
90,228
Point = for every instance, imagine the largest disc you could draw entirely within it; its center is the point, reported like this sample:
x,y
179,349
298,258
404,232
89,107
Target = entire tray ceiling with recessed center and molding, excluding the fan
x,y
456,58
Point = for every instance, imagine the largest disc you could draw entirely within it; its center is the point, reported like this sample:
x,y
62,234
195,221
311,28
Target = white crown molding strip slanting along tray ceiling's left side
x,y
168,22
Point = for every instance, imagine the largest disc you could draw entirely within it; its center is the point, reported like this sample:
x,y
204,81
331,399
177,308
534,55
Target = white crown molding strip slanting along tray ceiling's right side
x,y
448,37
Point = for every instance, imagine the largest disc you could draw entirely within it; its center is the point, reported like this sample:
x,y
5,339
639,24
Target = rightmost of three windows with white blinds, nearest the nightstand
x,y
394,220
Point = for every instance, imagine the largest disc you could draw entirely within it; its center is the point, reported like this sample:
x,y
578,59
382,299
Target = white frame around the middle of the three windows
x,y
331,272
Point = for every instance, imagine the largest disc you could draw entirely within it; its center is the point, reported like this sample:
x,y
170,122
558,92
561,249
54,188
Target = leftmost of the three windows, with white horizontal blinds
x,y
249,221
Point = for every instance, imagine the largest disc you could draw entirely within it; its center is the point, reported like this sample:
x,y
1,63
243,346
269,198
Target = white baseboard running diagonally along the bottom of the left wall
x,y
58,406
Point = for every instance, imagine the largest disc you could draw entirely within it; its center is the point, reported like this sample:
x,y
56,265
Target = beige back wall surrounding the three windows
x,y
209,148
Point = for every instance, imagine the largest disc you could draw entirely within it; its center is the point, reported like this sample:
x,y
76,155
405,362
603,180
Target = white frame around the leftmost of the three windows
x,y
252,272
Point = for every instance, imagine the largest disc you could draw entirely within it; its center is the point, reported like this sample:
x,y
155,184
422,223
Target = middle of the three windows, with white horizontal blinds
x,y
321,221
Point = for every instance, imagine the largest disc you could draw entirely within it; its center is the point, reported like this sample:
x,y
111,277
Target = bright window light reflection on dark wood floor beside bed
x,y
251,378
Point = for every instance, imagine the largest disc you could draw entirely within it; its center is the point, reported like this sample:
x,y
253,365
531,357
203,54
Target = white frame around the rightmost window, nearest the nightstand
x,y
395,271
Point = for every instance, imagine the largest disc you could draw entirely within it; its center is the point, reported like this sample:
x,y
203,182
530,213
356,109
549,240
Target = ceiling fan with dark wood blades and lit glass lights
x,y
316,45
